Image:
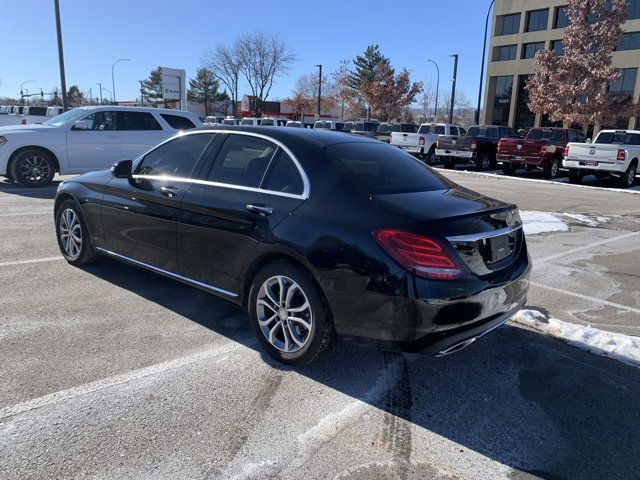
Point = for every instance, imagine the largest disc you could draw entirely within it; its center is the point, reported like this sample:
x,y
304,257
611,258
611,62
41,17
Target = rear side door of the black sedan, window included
x,y
248,187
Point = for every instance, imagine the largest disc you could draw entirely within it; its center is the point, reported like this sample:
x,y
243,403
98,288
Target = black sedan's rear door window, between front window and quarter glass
x,y
242,160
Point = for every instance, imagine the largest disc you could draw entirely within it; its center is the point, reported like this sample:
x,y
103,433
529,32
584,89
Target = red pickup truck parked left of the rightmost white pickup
x,y
542,147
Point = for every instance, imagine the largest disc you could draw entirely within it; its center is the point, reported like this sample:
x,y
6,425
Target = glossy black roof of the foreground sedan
x,y
321,138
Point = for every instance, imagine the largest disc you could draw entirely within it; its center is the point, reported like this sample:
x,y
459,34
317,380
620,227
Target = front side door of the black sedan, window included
x,y
139,214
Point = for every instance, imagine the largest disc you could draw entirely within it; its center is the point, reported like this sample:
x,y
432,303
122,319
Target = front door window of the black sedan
x,y
175,158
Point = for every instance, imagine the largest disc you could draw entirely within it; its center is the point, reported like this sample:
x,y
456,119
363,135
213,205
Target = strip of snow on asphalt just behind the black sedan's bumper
x,y
624,348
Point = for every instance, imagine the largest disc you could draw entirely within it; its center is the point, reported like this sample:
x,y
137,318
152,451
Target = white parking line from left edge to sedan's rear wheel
x,y
62,395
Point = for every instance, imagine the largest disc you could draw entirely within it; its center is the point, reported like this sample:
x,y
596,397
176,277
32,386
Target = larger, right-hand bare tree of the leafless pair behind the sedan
x,y
263,58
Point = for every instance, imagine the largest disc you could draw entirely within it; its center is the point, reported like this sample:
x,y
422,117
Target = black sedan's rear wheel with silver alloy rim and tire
x,y
289,315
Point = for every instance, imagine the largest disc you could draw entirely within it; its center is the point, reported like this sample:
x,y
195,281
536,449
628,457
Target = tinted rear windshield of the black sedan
x,y
380,168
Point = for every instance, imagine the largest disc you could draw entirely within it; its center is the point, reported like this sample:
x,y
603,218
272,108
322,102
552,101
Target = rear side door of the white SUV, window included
x,y
140,132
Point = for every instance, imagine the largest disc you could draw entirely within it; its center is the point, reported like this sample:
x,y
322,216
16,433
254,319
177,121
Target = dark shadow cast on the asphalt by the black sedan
x,y
527,401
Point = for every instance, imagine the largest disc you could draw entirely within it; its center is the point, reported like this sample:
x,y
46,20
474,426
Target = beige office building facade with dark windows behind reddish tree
x,y
522,27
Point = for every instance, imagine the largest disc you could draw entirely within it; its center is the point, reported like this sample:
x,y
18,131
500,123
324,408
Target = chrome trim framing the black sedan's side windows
x,y
305,180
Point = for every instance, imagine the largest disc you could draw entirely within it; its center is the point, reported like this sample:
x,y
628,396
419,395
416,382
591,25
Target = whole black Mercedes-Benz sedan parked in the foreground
x,y
313,233
